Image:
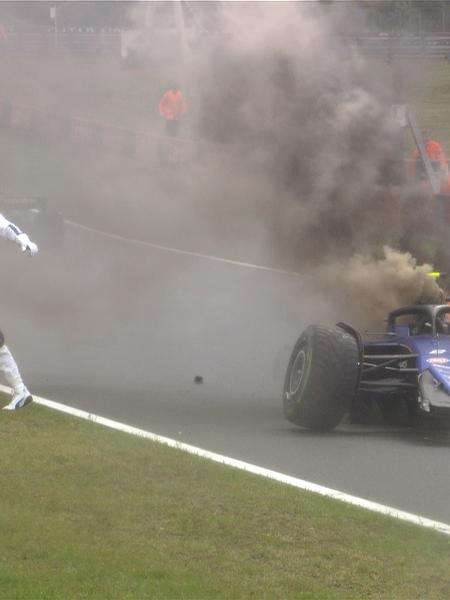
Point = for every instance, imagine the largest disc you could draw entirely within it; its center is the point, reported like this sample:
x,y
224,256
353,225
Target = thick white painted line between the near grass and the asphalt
x,y
248,467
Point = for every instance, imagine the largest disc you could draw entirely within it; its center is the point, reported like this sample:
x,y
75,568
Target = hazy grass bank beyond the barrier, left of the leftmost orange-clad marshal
x,y
93,89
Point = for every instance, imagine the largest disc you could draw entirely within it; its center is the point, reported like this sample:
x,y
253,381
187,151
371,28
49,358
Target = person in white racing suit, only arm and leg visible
x,y
8,367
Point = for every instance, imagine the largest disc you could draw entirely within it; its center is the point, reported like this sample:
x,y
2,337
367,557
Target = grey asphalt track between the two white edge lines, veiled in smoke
x,y
121,330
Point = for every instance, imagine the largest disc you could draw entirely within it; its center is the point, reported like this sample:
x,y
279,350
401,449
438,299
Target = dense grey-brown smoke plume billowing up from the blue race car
x,y
316,156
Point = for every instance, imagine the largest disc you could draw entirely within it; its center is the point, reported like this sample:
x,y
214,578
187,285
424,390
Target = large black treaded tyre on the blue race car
x,y
321,378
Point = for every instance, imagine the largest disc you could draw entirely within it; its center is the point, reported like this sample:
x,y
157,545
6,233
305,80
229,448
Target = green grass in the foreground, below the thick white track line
x,y
87,512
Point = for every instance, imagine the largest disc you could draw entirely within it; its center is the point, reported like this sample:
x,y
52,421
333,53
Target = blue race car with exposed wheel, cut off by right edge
x,y
404,372
